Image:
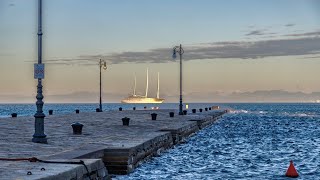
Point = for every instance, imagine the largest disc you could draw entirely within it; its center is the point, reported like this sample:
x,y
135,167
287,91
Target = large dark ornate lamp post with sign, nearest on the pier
x,y
39,136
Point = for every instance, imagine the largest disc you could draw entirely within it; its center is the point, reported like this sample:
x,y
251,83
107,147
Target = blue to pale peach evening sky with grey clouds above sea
x,y
234,51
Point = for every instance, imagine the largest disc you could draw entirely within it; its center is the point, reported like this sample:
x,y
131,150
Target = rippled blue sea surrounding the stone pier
x,y
252,141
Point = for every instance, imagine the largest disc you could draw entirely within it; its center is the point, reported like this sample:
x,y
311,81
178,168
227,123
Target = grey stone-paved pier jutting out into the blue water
x,y
105,145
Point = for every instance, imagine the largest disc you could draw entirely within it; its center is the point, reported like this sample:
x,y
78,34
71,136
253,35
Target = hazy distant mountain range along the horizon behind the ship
x,y
255,96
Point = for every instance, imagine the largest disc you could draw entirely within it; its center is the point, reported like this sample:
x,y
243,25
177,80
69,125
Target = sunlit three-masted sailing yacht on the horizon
x,y
134,98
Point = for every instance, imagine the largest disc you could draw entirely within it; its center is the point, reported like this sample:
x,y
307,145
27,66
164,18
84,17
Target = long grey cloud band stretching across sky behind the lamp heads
x,y
297,45
